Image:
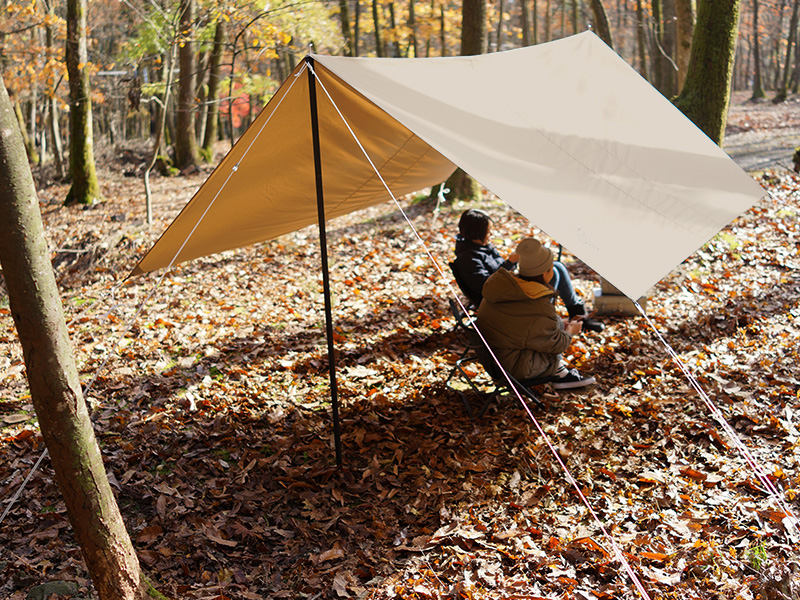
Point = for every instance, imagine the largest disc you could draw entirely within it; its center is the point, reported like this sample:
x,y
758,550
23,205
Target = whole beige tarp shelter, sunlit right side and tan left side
x,y
567,133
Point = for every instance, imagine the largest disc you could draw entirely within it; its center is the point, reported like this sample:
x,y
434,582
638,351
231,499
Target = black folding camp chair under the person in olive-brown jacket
x,y
477,351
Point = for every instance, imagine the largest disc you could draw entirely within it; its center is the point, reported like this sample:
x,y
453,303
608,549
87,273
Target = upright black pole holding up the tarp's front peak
x,y
323,245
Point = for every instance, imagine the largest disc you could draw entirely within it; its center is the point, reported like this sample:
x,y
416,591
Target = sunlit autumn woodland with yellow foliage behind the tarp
x,y
249,48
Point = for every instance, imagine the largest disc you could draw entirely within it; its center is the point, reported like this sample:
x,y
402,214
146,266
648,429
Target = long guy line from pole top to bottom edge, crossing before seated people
x,y
620,556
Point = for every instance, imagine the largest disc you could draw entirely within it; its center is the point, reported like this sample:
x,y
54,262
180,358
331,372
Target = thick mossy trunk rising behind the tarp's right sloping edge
x,y
706,93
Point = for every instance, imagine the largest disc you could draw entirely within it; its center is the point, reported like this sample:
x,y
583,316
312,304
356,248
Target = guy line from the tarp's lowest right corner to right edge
x,y
790,522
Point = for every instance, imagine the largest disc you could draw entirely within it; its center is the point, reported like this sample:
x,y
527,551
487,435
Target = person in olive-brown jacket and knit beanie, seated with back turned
x,y
520,323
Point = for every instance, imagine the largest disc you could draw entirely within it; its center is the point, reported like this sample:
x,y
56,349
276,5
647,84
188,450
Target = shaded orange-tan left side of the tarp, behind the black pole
x,y
265,186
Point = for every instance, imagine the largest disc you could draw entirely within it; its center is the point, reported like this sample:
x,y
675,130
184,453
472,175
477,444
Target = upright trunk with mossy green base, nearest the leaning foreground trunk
x,y
85,188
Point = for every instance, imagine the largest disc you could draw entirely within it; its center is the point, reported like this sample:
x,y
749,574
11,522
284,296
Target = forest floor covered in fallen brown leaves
x,y
211,405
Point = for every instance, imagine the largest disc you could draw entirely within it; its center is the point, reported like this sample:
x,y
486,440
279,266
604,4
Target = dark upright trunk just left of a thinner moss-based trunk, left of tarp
x,y
187,153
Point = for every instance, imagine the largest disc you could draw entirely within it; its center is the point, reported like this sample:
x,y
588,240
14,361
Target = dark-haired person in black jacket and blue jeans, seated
x,y
476,259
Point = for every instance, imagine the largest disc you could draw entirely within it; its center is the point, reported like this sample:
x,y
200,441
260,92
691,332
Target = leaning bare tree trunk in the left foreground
x,y
53,378
